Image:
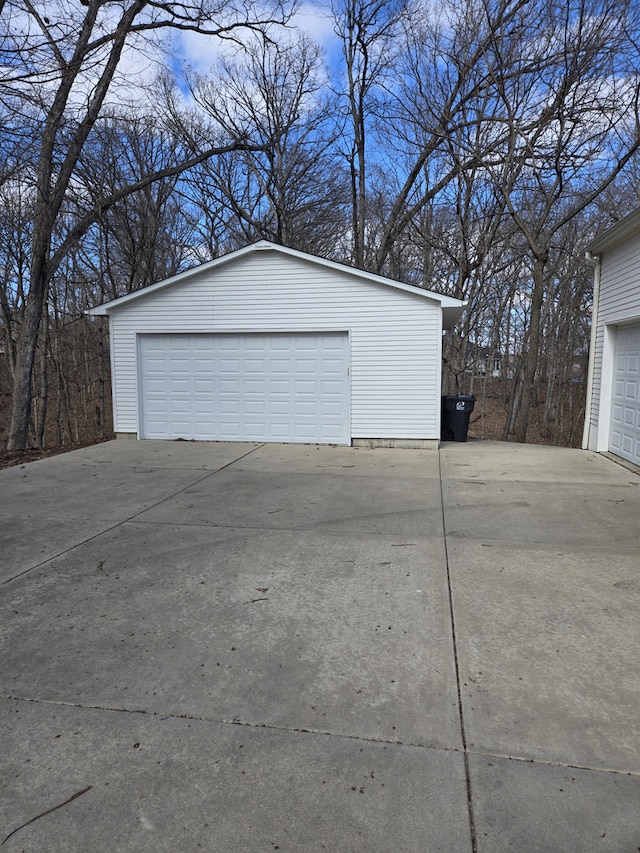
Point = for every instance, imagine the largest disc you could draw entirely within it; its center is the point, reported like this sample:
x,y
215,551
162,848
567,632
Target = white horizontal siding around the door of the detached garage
x,y
394,335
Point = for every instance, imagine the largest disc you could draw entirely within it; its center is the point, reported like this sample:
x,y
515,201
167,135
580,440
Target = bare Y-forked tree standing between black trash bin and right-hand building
x,y
573,125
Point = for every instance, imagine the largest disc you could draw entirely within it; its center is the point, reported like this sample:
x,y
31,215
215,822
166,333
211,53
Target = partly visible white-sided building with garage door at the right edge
x,y
612,420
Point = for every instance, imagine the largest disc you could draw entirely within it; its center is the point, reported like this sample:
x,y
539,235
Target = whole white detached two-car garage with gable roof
x,y
271,344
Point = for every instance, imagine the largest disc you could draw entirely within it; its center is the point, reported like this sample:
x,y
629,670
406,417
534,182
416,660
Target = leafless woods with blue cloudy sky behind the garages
x,y
471,147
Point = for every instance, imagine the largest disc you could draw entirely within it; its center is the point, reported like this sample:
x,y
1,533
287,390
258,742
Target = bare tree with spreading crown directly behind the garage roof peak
x,y
289,191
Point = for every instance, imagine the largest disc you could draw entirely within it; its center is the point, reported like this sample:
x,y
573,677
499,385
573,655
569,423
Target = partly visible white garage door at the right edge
x,y
625,414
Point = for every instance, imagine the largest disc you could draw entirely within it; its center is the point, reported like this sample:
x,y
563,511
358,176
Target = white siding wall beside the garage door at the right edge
x,y
618,304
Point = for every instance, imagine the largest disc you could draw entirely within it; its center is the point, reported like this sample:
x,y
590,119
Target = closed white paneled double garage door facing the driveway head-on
x,y
245,387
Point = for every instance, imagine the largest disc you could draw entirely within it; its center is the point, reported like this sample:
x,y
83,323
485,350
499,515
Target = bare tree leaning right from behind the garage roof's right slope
x,y
439,117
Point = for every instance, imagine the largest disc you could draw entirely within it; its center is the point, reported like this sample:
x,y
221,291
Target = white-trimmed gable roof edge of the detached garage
x,y
451,308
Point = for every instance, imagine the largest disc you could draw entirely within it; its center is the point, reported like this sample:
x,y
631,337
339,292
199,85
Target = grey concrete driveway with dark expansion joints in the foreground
x,y
237,647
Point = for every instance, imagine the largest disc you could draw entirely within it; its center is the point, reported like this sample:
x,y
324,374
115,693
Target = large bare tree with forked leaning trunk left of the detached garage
x,y
62,70
